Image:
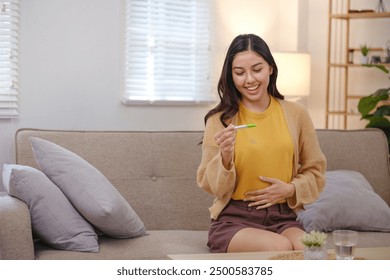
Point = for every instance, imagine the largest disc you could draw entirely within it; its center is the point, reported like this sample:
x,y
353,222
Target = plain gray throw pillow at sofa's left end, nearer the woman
x,y
88,190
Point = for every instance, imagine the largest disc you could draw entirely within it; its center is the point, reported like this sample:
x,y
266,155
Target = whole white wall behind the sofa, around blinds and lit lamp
x,y
70,63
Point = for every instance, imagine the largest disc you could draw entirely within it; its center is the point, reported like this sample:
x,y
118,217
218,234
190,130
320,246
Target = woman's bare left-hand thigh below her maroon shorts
x,y
251,240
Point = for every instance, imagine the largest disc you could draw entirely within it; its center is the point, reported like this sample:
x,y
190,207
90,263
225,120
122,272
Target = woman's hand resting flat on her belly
x,y
270,195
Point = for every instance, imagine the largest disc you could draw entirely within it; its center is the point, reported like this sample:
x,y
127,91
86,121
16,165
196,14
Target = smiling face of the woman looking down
x,y
251,74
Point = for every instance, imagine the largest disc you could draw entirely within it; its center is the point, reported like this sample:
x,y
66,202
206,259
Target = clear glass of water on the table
x,y
345,242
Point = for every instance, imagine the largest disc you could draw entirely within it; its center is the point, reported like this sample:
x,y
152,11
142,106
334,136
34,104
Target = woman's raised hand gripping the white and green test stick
x,y
226,138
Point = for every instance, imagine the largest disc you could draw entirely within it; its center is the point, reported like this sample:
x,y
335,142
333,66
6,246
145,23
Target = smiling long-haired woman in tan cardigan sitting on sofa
x,y
260,176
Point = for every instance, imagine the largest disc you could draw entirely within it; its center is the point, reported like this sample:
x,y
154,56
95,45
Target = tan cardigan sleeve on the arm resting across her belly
x,y
310,162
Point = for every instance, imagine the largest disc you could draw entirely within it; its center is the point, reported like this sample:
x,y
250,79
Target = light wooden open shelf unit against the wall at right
x,y
339,61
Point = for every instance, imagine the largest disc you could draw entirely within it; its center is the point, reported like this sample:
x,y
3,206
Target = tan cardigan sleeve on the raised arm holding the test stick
x,y
212,176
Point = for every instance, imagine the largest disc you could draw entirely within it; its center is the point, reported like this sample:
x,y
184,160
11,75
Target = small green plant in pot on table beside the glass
x,y
315,248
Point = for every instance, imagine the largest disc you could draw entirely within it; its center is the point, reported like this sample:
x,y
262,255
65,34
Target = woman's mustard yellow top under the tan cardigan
x,y
264,150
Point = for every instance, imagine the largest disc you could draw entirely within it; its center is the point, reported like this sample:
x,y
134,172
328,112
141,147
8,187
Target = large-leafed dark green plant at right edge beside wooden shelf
x,y
375,108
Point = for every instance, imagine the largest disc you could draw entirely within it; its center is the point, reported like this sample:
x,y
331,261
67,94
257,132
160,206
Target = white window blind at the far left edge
x,y
9,20
